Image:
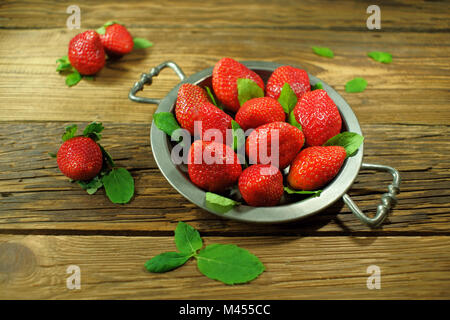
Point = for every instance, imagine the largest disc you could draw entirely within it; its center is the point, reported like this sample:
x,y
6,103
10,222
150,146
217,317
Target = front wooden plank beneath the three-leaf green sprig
x,y
296,268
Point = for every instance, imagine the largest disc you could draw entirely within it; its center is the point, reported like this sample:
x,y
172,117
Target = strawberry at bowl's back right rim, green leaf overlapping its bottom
x,y
297,78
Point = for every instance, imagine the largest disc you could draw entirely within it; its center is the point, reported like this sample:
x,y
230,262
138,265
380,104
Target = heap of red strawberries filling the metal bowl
x,y
261,184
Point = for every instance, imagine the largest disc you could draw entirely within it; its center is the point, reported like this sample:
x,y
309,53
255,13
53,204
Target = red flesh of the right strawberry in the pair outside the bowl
x,y
116,40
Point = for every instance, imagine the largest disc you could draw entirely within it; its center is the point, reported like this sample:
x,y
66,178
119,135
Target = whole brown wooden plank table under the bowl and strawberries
x,y
48,224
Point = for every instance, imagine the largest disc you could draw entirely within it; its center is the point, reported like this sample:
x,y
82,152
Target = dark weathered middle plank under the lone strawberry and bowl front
x,y
34,195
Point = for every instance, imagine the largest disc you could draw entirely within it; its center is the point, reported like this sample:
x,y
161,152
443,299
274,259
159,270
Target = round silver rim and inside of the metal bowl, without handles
x,y
177,177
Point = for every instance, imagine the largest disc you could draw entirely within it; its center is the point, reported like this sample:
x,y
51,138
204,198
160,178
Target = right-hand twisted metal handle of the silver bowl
x,y
387,199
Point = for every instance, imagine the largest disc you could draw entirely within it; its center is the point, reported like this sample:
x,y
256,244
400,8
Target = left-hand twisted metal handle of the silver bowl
x,y
147,78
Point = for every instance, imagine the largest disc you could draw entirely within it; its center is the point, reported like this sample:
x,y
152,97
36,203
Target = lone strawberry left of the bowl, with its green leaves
x,y
82,159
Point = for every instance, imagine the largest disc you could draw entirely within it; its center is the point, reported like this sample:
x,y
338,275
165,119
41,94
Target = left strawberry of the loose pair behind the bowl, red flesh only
x,y
86,53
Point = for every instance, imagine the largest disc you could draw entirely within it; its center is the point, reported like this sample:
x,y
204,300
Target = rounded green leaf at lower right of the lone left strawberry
x,y
119,185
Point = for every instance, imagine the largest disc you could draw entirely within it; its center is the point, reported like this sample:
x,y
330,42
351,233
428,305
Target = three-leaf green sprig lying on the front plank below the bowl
x,y
227,263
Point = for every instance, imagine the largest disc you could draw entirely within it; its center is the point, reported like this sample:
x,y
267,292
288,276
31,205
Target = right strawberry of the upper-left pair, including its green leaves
x,y
117,40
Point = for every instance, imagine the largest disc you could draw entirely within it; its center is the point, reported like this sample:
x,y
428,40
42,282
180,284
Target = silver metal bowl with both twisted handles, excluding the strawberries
x,y
335,190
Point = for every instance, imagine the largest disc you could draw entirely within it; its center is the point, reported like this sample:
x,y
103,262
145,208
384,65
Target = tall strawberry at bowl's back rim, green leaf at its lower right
x,y
224,80
